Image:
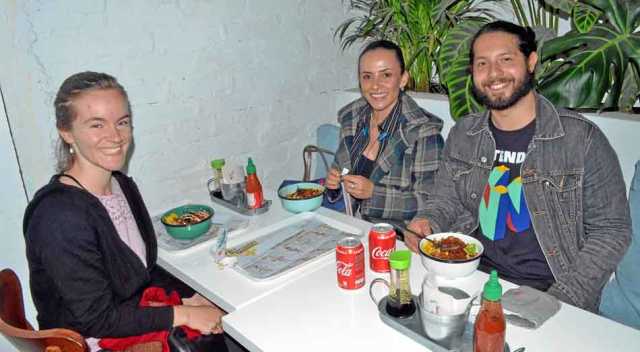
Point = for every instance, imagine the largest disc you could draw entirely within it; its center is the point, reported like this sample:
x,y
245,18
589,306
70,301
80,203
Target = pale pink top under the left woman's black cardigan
x,y
124,222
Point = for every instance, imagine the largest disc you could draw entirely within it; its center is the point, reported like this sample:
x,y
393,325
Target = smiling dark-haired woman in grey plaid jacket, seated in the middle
x,y
389,144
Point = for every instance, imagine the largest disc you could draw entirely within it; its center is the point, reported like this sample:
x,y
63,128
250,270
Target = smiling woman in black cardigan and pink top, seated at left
x,y
90,243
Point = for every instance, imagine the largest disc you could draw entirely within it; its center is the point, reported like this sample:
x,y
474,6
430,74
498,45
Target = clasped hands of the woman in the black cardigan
x,y
206,319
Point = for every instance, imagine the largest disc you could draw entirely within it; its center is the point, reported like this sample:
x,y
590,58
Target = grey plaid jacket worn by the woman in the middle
x,y
404,172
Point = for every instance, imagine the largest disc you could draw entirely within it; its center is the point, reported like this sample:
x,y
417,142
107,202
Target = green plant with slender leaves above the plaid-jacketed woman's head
x,y
417,26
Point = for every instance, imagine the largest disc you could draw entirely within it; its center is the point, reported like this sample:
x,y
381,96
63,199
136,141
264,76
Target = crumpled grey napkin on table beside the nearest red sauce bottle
x,y
531,307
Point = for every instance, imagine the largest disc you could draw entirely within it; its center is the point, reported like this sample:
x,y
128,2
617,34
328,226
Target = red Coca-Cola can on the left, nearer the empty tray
x,y
350,263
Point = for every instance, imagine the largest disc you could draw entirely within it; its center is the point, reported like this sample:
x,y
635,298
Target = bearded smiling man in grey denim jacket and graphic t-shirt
x,y
539,186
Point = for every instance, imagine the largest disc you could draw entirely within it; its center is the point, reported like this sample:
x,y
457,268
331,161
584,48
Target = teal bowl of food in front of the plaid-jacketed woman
x,y
301,196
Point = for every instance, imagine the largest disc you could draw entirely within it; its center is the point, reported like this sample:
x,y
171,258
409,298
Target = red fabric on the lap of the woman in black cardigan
x,y
151,297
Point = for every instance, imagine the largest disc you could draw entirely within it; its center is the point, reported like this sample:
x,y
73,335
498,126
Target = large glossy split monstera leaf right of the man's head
x,y
590,69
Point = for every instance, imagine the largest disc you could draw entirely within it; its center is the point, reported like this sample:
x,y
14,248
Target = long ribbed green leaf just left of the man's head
x,y
454,67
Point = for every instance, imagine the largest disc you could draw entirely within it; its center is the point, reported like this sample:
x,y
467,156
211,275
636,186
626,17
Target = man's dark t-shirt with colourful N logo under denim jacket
x,y
505,229
